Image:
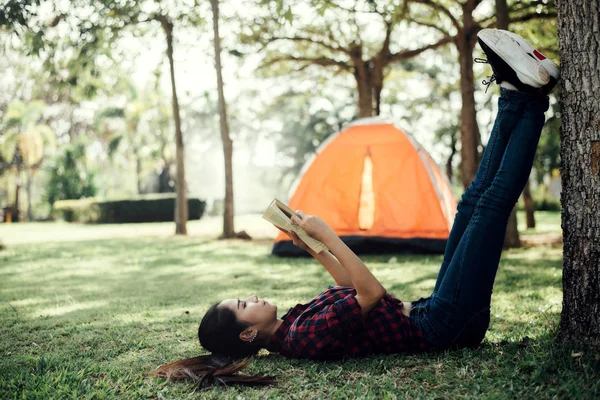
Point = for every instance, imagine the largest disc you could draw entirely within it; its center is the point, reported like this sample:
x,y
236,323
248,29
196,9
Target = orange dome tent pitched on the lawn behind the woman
x,y
378,189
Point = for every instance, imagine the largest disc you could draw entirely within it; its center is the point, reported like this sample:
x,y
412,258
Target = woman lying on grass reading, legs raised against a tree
x,y
358,317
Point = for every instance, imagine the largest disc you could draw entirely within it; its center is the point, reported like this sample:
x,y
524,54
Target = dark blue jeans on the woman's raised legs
x,y
457,313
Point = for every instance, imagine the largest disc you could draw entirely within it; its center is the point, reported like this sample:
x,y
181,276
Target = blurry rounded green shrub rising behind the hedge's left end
x,y
69,177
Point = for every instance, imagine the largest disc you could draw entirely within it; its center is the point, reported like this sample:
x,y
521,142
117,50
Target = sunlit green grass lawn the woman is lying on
x,y
87,311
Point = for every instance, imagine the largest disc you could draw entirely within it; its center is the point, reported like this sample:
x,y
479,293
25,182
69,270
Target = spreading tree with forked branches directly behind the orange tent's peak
x,y
334,37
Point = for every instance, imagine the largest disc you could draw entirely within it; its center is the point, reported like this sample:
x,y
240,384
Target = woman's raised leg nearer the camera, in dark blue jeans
x,y
465,291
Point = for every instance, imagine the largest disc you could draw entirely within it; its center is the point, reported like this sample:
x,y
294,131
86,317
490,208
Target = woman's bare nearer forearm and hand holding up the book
x,y
369,290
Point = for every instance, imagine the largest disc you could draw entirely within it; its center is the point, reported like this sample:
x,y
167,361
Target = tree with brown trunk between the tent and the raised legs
x,y
458,23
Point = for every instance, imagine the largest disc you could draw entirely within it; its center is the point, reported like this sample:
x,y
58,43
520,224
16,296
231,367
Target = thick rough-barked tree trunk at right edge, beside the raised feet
x,y
579,40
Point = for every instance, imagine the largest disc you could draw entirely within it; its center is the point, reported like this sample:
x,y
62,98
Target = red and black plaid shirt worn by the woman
x,y
330,327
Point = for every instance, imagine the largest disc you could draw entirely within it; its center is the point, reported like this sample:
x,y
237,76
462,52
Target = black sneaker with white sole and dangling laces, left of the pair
x,y
511,62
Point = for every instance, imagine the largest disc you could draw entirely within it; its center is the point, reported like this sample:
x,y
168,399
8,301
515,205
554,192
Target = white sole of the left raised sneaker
x,y
528,70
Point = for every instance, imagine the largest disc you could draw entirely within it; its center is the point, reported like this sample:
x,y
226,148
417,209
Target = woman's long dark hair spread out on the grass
x,y
219,333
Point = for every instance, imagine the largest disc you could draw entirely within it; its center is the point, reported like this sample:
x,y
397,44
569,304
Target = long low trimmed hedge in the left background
x,y
147,208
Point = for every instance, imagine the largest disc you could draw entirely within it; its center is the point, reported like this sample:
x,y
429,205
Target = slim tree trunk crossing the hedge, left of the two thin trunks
x,y
181,210
